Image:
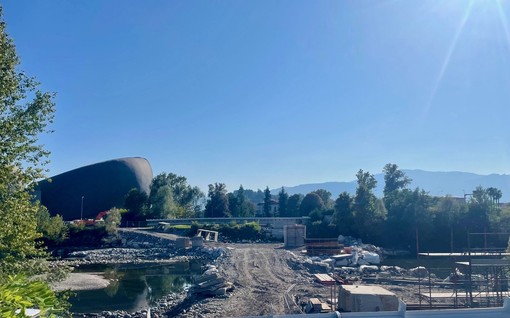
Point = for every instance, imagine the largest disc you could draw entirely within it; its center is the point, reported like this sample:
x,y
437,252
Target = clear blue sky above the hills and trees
x,y
271,93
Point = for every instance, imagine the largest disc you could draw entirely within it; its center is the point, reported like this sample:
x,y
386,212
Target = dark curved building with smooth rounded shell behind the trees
x,y
94,188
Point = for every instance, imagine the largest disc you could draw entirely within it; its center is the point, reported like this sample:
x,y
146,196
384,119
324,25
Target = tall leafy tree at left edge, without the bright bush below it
x,y
25,112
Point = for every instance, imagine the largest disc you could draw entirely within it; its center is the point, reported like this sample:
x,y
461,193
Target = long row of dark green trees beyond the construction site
x,y
403,218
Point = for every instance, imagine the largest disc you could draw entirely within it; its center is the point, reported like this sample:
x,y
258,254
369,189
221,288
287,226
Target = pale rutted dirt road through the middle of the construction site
x,y
265,283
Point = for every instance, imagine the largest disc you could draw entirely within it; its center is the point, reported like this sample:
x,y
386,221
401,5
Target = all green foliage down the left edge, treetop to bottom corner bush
x,y
25,113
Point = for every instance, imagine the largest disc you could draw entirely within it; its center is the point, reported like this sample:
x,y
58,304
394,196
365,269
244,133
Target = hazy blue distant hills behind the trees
x,y
452,183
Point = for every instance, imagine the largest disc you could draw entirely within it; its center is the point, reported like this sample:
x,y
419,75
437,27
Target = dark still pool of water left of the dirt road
x,y
129,286
